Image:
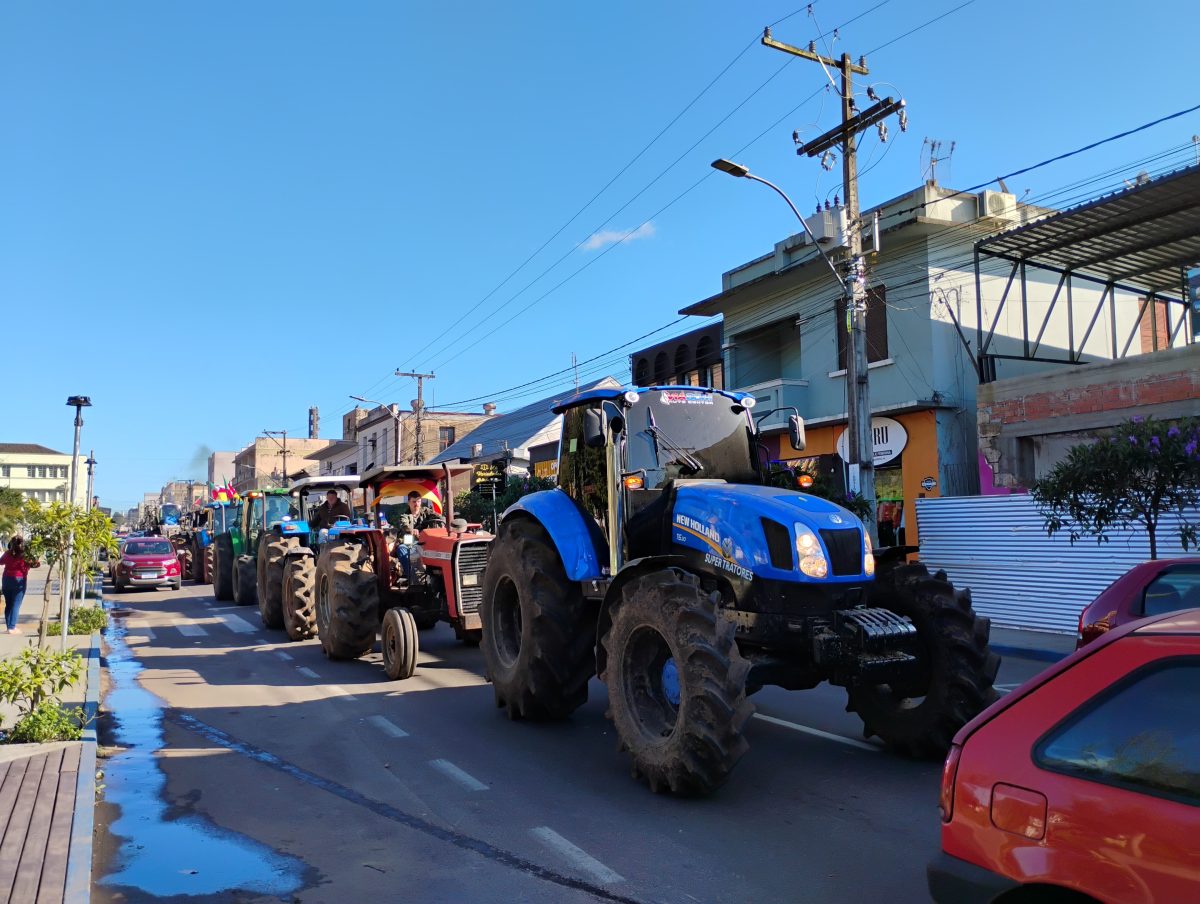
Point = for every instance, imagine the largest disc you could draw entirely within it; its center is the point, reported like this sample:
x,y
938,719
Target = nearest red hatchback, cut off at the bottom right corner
x,y
1084,783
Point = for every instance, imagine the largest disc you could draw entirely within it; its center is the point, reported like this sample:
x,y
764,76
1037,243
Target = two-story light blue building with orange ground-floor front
x,y
785,338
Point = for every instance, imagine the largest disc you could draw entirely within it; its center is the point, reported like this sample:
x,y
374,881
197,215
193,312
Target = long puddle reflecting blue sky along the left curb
x,y
164,857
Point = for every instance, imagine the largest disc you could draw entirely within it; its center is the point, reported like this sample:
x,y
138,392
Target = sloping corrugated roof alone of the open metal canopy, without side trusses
x,y
1141,237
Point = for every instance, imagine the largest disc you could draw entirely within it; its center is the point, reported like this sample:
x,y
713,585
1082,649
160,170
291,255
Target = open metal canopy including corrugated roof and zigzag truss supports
x,y
1139,241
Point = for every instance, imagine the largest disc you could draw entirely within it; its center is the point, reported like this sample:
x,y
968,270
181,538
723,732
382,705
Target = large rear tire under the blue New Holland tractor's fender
x,y
539,633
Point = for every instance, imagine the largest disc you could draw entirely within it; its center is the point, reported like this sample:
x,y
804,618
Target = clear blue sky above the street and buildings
x,y
215,215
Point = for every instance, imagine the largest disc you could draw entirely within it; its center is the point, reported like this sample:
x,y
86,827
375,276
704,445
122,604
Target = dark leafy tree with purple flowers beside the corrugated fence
x,y
1131,480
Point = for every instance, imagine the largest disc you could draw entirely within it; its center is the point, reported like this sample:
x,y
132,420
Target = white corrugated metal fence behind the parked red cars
x,y
1019,578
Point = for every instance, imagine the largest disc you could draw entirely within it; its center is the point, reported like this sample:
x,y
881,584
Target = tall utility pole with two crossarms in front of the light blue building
x,y
861,446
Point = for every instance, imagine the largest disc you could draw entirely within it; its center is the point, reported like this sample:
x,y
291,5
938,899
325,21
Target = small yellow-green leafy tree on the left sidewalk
x,y
51,530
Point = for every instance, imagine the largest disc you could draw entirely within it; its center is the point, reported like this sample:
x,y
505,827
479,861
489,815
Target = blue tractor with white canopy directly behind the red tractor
x,y
287,556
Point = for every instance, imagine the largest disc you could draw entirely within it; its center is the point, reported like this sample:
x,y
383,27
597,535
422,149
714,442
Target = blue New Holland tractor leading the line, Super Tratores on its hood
x,y
668,567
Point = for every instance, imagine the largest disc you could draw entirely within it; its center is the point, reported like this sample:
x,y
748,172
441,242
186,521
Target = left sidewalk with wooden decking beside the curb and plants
x,y
49,792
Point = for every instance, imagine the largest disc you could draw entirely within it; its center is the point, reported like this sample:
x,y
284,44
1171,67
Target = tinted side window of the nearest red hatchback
x,y
1141,735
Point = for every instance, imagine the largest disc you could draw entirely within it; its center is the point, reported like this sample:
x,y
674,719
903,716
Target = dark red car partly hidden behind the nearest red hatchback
x,y
1166,585
